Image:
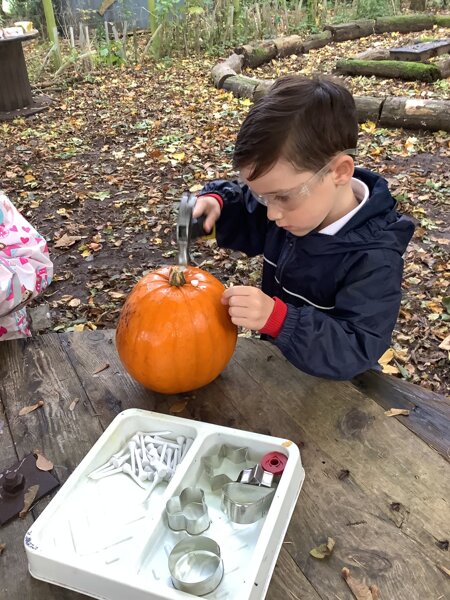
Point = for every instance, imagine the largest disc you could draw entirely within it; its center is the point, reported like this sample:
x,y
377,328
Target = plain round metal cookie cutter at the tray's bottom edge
x,y
195,565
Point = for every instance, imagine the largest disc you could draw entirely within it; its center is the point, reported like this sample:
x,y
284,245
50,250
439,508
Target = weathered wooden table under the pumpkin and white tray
x,y
378,485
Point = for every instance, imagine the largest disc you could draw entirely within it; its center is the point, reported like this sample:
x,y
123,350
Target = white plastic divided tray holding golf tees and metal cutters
x,y
98,538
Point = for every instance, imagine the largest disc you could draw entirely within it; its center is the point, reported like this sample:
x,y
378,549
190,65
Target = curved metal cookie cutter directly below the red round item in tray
x,y
245,504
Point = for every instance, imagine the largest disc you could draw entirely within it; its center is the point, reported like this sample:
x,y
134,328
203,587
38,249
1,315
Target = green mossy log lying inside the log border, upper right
x,y
390,69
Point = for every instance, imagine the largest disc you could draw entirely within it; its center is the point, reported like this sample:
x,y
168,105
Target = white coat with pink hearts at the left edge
x,y
25,269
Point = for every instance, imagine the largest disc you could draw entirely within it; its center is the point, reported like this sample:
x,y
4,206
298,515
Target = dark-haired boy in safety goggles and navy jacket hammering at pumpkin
x,y
331,239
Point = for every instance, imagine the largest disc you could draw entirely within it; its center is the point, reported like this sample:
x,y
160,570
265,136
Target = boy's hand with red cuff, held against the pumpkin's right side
x,y
248,306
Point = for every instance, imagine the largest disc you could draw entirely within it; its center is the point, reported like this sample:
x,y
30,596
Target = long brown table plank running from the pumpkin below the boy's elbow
x,y
396,468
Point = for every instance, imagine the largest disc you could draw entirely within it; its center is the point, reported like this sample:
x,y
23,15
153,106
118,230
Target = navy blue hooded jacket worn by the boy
x,y
343,291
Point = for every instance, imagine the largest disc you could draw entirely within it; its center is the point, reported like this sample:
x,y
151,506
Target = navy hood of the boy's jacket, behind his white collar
x,y
376,225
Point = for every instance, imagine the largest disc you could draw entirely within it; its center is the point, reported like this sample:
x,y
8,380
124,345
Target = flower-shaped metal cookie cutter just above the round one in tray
x,y
188,511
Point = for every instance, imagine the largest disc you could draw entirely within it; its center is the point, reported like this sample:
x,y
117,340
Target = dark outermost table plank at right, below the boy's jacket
x,y
430,413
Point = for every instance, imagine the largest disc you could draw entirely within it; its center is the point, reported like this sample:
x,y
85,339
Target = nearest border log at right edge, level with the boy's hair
x,y
413,113
